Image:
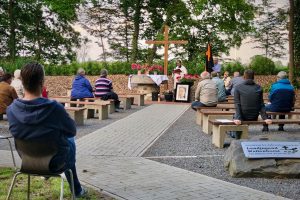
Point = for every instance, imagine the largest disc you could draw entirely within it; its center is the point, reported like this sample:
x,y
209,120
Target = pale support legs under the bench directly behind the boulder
x,y
219,131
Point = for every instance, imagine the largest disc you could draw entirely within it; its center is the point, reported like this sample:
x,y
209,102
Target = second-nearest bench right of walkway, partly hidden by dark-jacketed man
x,y
208,115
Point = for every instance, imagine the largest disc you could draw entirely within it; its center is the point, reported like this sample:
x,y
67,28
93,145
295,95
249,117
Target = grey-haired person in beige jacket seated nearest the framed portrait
x,y
206,92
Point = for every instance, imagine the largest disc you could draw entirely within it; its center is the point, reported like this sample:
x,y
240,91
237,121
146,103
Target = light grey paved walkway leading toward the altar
x,y
109,159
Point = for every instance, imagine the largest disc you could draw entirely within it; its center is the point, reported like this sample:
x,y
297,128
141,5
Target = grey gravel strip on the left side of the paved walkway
x,y
90,126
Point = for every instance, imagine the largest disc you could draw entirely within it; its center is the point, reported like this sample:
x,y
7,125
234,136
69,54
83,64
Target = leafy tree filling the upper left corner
x,y
39,28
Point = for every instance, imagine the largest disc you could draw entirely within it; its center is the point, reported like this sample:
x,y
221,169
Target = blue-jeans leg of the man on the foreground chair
x,y
71,165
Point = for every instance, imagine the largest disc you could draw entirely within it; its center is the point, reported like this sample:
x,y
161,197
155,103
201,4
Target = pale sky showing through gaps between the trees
x,y
243,53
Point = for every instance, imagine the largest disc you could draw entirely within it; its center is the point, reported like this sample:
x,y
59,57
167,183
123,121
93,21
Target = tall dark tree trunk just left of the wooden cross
x,y
136,20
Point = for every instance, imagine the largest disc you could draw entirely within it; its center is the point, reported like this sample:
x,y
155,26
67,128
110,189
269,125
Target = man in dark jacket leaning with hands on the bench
x,y
248,101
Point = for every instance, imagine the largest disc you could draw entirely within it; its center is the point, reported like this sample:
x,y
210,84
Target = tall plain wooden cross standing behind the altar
x,y
166,42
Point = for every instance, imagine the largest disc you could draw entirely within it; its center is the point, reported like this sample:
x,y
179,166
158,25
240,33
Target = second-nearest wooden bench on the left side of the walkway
x,y
101,107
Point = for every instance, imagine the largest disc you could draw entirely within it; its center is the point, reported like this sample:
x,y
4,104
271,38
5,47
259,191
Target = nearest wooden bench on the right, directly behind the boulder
x,y
220,128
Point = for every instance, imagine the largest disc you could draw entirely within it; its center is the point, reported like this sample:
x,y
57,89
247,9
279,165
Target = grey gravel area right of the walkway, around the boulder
x,y
186,147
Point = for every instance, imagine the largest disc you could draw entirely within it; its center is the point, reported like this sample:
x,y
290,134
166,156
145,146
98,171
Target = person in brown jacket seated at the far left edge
x,y
7,93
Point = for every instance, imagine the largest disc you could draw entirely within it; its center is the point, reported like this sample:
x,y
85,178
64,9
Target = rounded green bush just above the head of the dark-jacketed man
x,y
262,65
